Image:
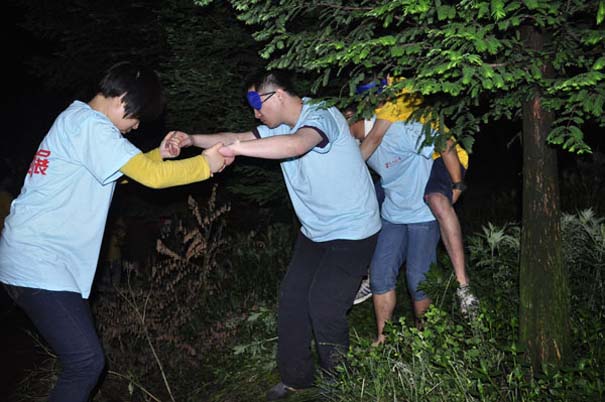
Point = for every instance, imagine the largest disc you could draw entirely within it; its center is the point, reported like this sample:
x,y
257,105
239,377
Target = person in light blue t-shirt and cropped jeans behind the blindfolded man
x,y
410,232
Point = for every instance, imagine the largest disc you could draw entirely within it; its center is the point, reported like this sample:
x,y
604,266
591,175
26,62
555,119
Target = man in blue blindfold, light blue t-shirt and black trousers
x,y
333,196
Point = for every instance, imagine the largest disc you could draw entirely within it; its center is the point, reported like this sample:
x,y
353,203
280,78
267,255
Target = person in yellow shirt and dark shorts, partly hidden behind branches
x,y
444,187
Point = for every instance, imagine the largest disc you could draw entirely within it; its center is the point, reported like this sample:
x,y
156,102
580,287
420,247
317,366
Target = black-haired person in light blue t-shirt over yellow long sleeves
x,y
50,242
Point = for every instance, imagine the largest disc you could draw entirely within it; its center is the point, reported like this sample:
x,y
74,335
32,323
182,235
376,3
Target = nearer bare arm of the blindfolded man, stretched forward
x,y
276,147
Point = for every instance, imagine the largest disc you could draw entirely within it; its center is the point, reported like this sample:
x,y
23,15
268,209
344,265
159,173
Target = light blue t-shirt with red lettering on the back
x,y
52,236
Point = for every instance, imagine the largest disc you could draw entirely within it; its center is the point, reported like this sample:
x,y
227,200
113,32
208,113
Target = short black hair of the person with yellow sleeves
x,y
143,99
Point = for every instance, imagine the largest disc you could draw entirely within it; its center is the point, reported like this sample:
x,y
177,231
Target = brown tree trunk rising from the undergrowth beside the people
x,y
544,292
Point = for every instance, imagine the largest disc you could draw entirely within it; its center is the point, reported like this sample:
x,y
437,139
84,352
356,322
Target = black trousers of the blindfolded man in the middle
x,y
315,295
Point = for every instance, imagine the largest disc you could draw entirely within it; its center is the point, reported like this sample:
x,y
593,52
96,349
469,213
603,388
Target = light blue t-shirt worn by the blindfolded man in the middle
x,y
330,186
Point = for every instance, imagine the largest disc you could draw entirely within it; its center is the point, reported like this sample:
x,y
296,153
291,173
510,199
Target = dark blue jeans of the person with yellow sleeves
x,y
65,321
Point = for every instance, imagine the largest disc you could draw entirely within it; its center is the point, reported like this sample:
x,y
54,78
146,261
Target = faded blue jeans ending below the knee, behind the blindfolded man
x,y
414,243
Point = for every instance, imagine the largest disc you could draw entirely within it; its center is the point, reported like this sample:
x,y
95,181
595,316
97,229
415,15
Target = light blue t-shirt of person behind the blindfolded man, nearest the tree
x,y
404,168
